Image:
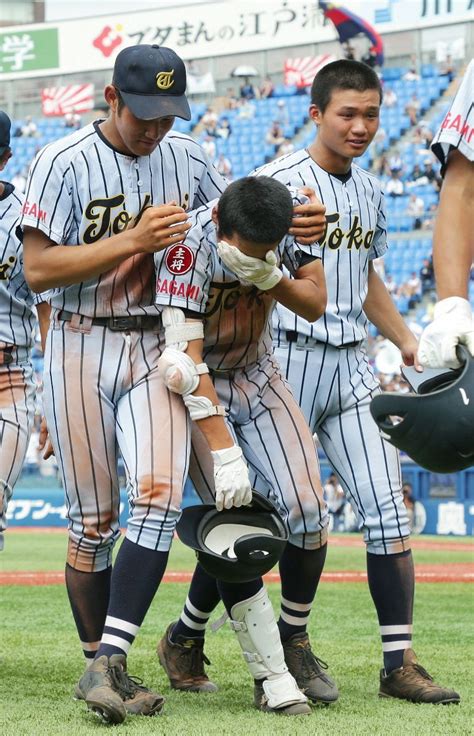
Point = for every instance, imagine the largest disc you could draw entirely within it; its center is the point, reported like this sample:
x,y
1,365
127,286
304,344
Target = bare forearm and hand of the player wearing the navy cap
x,y
49,265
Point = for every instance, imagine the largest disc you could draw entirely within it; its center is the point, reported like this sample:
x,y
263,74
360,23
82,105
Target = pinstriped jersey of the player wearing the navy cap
x,y
81,190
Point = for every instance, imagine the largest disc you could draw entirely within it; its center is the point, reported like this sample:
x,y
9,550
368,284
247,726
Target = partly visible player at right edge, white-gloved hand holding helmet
x,y
453,257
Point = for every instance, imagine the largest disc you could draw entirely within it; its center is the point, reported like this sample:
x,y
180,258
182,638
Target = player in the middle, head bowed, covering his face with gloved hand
x,y
247,224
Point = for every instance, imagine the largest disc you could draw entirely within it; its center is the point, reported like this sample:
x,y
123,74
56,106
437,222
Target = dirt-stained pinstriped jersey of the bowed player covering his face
x,y
191,275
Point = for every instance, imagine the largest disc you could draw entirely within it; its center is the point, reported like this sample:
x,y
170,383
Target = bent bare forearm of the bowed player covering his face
x,y
306,294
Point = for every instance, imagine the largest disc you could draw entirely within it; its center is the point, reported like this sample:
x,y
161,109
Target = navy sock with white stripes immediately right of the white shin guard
x,y
300,571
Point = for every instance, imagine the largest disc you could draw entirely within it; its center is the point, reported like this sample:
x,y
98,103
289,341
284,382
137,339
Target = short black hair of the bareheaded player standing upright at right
x,y
342,74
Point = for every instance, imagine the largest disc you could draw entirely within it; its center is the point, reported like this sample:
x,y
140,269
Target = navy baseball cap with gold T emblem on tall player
x,y
152,82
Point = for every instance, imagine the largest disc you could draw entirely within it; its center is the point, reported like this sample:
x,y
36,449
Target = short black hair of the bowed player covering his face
x,y
257,208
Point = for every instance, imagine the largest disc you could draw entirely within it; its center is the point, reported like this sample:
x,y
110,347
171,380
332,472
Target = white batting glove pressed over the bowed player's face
x,y
264,274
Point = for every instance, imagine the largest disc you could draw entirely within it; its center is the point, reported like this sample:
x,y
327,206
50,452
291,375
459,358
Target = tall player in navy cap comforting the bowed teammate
x,y
103,188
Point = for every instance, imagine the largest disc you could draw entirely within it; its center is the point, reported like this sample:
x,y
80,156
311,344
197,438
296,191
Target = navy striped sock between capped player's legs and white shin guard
x,y
203,597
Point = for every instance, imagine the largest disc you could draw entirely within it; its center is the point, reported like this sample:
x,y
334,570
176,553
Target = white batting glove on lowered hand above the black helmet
x,y
231,478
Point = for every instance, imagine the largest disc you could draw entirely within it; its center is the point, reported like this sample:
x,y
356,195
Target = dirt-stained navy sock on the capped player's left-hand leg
x,y
89,599
